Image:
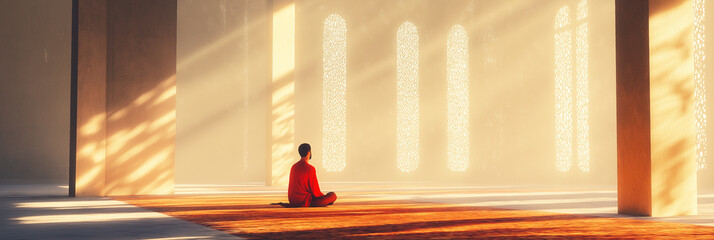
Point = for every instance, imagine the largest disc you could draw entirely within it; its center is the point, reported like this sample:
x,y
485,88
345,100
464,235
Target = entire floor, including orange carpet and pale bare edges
x,y
363,210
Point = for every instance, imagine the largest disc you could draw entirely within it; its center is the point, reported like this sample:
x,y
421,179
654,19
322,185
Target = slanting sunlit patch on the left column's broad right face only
x,y
140,156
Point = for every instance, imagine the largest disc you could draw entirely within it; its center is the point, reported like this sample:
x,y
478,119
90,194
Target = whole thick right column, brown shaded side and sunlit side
x,y
655,108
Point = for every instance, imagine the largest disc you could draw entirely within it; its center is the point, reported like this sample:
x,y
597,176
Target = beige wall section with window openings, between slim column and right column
x,y
511,49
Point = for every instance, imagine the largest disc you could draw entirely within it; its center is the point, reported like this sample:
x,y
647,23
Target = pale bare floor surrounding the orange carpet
x,y
27,213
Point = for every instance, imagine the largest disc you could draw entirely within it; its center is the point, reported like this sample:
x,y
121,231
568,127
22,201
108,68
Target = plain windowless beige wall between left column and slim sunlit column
x,y
222,79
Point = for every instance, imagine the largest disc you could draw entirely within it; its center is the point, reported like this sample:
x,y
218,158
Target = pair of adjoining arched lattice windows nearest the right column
x,y
572,95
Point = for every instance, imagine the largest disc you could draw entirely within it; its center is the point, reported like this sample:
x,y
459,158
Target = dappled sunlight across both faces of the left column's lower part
x,y
137,152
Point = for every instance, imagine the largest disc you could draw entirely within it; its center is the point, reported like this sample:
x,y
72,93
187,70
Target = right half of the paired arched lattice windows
x,y
582,87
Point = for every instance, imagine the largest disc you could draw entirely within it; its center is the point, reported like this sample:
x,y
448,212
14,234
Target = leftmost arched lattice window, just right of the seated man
x,y
334,63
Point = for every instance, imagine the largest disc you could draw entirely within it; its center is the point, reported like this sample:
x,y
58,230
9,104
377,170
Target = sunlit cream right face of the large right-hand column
x,y
672,86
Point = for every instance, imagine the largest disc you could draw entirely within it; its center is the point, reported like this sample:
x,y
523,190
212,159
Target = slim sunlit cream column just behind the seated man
x,y
283,152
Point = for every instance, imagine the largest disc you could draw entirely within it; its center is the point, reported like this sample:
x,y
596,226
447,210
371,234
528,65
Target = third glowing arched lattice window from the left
x,y
457,70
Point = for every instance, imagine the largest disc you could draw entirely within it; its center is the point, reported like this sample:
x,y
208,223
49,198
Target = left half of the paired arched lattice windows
x,y
563,91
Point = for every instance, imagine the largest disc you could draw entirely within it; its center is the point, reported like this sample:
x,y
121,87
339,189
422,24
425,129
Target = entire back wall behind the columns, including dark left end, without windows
x,y
512,90
